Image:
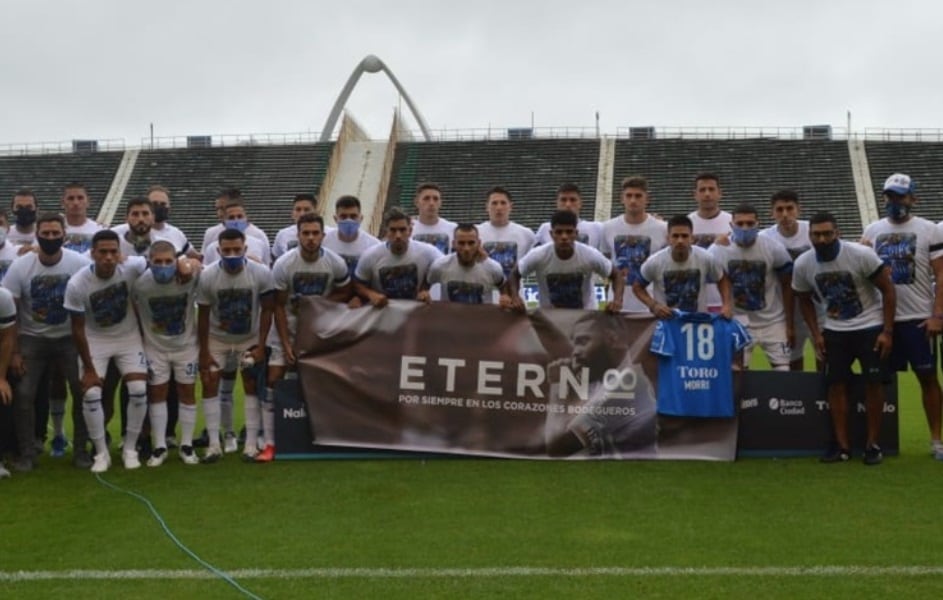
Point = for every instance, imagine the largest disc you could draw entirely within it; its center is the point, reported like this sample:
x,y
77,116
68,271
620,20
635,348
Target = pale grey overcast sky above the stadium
x,y
108,68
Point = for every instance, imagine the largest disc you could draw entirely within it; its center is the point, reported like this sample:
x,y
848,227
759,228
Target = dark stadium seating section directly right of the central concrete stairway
x,y
530,169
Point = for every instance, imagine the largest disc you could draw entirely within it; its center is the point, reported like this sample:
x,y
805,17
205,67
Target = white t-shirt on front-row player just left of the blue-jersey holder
x,y
565,283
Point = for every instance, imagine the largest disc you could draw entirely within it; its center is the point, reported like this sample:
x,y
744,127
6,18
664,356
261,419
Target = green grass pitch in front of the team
x,y
756,528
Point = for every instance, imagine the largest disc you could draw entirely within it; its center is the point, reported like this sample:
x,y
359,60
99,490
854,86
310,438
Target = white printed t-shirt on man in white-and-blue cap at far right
x,y
907,248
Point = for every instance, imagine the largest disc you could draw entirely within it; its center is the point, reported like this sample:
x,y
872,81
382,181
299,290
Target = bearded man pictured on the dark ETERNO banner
x,y
617,416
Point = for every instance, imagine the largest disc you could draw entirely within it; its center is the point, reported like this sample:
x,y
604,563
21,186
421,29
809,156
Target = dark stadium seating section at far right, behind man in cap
x,y
923,161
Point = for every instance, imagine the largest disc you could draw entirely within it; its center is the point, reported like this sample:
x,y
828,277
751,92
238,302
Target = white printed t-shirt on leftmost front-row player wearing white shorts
x,y
110,321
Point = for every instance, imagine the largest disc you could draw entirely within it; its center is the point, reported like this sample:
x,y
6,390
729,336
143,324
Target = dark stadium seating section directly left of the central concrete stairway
x,y
269,177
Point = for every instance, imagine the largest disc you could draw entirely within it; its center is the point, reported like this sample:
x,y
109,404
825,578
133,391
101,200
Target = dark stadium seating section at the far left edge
x,y
46,174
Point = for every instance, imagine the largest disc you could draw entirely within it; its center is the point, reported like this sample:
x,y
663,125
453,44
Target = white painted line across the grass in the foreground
x,y
485,572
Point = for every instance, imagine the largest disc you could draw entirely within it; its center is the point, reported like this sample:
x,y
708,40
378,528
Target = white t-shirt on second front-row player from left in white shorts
x,y
167,312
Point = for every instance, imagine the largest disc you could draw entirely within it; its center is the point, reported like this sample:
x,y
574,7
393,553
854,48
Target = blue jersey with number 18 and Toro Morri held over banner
x,y
695,353
